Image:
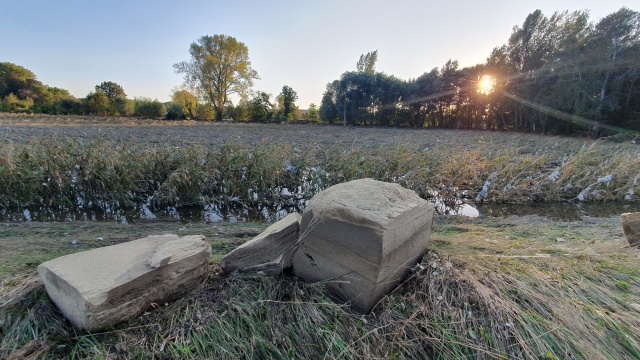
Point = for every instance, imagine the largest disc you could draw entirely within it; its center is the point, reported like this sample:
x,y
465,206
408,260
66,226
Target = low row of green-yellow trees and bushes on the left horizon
x,y
21,92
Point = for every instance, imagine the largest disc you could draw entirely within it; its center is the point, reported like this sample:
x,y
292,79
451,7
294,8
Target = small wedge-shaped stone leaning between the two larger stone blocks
x,y
271,251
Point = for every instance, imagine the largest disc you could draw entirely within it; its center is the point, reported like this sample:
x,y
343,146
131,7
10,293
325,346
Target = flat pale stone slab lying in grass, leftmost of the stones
x,y
101,287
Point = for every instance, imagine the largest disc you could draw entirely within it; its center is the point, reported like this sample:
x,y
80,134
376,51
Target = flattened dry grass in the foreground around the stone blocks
x,y
489,288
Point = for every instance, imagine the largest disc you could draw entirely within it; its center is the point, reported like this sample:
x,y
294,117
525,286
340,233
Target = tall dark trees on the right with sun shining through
x,y
558,74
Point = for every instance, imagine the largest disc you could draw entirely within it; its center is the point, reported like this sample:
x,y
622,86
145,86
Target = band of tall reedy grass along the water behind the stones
x,y
70,173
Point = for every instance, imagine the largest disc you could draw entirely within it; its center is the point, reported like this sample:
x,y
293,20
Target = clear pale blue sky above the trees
x,y
304,44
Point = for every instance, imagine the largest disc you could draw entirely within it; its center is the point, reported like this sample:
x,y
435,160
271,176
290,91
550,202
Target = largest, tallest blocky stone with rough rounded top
x,y
362,237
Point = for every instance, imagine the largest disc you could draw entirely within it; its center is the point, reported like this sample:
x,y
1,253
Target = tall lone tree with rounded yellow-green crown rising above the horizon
x,y
219,66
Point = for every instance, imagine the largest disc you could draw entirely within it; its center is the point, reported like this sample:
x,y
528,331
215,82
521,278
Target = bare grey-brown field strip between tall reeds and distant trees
x,y
20,128
